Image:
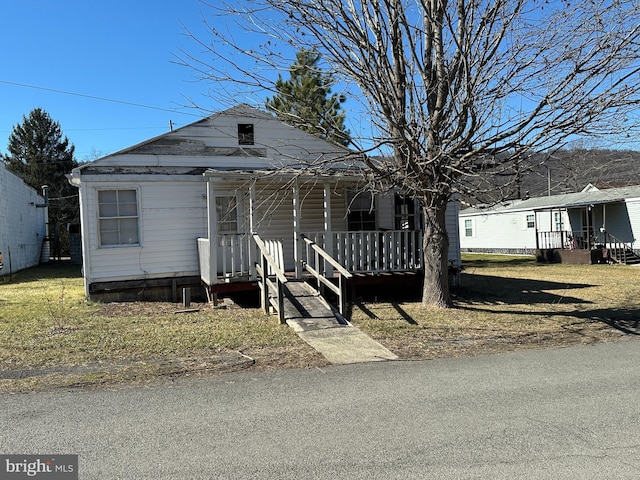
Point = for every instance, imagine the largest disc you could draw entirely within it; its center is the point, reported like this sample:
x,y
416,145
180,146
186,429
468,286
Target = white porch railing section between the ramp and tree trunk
x,y
373,251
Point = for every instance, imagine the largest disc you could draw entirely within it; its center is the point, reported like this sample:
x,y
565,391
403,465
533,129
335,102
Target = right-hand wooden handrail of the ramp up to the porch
x,y
321,265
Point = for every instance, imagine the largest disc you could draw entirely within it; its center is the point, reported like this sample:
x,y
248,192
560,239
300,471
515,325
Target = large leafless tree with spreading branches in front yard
x,y
452,88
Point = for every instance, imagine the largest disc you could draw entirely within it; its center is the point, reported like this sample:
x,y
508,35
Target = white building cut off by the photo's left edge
x,y
23,223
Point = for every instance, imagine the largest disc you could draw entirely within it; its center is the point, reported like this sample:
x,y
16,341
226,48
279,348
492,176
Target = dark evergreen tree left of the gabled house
x,y
40,155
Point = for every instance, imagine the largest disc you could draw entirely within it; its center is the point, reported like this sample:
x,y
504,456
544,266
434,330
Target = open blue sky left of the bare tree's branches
x,y
118,50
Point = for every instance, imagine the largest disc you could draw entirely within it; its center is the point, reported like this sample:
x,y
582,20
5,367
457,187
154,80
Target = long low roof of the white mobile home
x,y
589,196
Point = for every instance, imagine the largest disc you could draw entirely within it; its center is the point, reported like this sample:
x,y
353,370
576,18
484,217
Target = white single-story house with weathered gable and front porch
x,y
148,212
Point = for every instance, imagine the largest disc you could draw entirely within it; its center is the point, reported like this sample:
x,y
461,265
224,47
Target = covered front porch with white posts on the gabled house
x,y
287,235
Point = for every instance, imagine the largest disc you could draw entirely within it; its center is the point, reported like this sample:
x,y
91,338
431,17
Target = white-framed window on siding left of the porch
x,y
118,220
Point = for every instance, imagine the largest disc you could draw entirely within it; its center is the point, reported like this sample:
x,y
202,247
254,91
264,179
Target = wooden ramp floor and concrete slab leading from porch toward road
x,y
337,340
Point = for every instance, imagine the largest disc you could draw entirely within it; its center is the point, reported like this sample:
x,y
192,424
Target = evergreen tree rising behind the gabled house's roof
x,y
306,101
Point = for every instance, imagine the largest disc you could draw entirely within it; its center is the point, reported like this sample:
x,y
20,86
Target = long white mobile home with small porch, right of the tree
x,y
573,227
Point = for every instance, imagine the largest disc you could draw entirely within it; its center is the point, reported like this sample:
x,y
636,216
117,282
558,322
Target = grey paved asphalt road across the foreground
x,y
566,413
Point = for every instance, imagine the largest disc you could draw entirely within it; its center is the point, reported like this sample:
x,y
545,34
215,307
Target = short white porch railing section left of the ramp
x,y
233,261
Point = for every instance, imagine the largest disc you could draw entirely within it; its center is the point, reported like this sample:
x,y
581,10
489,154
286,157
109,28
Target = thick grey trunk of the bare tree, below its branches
x,y
435,245
